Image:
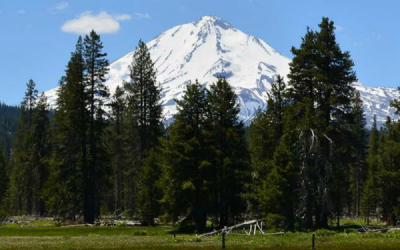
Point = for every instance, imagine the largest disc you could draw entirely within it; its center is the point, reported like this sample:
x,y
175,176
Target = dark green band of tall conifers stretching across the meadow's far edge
x,y
307,159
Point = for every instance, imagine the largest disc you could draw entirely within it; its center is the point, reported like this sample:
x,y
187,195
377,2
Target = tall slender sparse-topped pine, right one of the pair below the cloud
x,y
96,66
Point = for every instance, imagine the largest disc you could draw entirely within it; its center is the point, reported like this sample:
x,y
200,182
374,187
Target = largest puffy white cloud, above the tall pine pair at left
x,y
102,23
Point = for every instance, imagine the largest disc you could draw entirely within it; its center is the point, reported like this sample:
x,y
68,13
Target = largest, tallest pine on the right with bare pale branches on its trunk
x,y
320,83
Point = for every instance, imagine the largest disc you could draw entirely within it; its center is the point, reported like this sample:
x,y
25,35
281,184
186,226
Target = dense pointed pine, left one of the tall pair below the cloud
x,y
69,139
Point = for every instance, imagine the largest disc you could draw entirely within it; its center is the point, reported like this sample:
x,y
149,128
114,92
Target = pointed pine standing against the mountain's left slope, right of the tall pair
x,y
144,116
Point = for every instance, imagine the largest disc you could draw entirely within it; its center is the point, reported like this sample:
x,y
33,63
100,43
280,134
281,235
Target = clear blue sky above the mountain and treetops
x,y
37,37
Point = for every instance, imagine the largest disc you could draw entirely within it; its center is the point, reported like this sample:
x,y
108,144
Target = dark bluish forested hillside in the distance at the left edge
x,y
9,116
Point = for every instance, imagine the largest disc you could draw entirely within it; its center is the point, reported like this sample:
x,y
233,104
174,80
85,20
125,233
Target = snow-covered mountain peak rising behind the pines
x,y
211,47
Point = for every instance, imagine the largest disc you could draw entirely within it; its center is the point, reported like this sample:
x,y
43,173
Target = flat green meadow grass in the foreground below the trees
x,y
121,238
